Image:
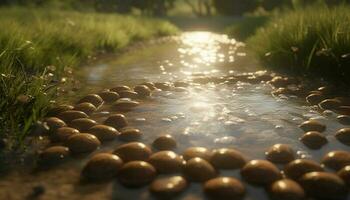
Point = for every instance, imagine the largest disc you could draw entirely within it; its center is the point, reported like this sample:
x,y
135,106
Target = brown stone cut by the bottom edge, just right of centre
x,y
224,188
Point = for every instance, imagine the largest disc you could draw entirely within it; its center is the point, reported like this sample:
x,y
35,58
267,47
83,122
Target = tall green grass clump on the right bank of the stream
x,y
314,41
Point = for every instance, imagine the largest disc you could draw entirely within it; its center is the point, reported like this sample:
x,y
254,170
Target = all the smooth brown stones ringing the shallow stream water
x,y
136,164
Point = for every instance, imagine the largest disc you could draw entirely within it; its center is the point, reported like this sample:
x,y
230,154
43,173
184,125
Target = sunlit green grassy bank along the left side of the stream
x,y
38,46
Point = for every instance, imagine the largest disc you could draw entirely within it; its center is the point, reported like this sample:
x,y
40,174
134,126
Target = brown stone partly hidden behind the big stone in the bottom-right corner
x,y
299,167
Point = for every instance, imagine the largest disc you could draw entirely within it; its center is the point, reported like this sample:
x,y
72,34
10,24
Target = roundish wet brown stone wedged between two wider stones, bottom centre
x,y
199,170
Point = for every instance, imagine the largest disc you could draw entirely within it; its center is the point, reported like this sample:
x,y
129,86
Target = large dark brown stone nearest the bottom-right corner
x,y
323,185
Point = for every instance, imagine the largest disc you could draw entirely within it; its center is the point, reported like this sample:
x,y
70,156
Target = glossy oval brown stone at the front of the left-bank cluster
x,y
83,143
